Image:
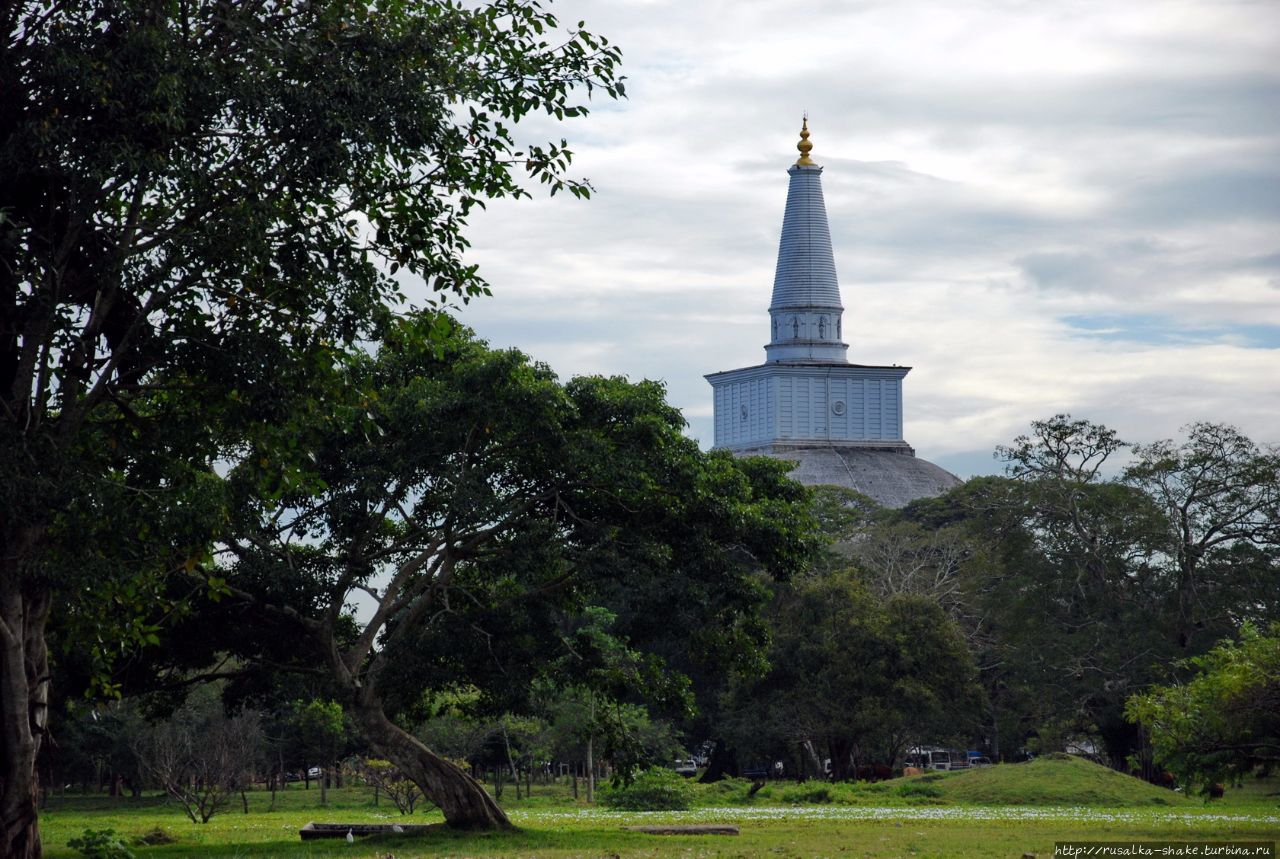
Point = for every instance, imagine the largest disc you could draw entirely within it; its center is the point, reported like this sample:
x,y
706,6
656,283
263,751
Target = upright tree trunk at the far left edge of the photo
x,y
24,705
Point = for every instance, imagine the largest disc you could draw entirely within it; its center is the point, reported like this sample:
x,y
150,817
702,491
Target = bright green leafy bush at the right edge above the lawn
x,y
1224,723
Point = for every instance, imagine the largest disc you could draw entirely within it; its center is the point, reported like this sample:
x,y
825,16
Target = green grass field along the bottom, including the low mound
x,y
963,815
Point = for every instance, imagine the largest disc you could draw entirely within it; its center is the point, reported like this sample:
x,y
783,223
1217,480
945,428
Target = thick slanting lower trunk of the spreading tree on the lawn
x,y
461,798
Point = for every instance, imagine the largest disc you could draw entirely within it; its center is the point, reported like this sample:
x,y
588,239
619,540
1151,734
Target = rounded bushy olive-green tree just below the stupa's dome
x,y
857,675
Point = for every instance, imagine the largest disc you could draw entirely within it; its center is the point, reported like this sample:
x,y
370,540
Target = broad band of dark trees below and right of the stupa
x,y
1016,614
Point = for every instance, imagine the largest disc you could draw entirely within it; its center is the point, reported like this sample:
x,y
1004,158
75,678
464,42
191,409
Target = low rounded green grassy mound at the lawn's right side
x,y
1055,780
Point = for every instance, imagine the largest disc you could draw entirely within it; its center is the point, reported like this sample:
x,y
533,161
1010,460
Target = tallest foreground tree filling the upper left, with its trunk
x,y
199,203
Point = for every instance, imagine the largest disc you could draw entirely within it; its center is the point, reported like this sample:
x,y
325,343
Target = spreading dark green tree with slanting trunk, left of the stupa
x,y
479,510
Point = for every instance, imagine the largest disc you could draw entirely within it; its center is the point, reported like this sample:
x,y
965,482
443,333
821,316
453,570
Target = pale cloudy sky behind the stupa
x,y
1041,207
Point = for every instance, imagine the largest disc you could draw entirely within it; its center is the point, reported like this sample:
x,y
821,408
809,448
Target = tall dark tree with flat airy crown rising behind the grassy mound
x,y
1072,592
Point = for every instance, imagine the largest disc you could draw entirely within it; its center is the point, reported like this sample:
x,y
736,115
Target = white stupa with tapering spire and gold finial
x,y
842,423
